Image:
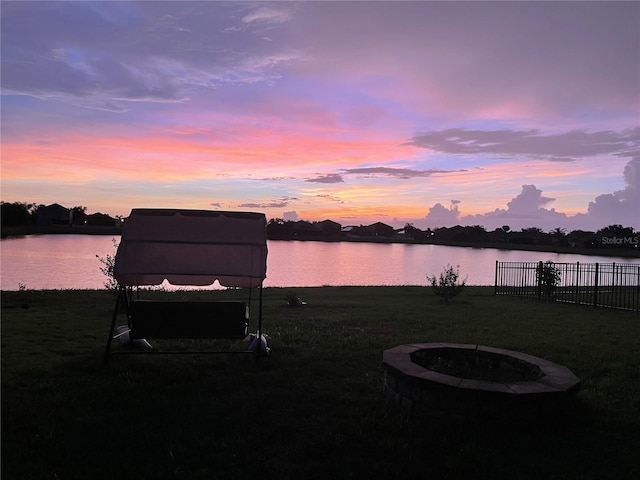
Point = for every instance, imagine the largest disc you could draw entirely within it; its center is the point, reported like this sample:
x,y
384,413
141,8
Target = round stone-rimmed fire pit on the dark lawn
x,y
474,381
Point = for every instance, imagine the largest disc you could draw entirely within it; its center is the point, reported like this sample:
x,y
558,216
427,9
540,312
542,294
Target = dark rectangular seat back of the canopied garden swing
x,y
188,320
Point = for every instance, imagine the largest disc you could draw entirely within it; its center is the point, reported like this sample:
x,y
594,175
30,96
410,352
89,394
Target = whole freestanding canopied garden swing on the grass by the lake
x,y
195,248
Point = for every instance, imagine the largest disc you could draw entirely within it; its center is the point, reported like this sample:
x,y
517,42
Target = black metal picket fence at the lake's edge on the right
x,y
612,285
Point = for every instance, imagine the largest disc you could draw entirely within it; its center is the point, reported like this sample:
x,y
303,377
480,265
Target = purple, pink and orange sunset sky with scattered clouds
x,y
437,114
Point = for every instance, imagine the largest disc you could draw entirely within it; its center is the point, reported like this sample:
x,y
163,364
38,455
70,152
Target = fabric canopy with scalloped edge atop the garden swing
x,y
192,247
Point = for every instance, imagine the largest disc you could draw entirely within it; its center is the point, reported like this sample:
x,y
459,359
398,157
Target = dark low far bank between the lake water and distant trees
x,y
14,232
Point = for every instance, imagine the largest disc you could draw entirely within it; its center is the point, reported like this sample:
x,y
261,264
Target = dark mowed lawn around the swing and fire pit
x,y
316,407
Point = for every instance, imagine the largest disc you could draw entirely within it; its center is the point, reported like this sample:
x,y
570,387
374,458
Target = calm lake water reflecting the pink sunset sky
x,y
69,262
